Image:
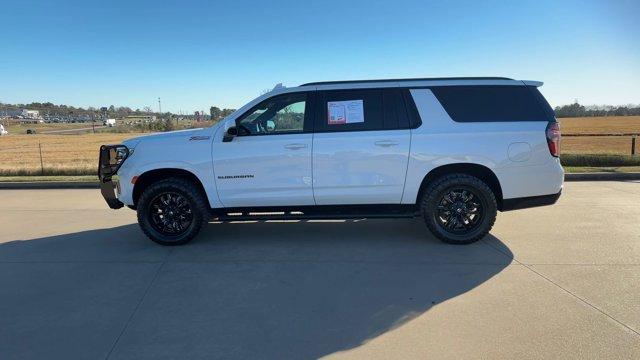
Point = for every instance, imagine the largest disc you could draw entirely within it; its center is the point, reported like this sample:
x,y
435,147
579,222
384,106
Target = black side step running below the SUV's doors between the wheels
x,y
316,212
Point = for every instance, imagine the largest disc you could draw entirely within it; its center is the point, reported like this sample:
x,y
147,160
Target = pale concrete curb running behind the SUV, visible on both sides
x,y
601,176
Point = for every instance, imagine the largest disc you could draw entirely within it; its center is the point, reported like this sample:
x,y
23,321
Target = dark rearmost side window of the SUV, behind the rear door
x,y
490,103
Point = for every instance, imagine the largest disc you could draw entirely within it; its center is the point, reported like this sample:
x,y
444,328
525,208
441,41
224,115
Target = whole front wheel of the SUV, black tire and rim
x,y
171,211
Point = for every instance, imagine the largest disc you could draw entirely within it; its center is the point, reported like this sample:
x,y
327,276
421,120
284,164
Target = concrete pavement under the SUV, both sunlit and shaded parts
x,y
78,280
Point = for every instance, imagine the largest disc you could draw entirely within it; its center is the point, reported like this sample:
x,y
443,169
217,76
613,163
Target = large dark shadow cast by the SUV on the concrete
x,y
241,290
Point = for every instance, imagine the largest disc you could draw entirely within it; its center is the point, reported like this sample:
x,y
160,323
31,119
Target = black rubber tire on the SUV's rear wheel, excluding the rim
x,y
441,186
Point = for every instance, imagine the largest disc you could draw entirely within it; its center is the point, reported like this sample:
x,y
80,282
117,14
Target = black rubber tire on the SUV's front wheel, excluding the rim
x,y
195,199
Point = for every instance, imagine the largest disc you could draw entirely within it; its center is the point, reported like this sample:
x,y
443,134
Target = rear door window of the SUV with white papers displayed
x,y
367,109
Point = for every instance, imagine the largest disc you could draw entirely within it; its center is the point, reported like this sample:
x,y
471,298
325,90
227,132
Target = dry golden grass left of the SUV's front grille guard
x,y
61,154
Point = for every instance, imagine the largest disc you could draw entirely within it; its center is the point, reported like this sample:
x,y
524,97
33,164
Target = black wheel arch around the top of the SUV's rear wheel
x,y
479,171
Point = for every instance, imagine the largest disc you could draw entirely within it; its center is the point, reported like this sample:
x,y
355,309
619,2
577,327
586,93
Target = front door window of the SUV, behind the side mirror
x,y
282,114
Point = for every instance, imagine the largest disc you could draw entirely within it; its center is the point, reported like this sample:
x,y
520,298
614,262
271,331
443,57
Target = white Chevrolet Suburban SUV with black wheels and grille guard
x,y
451,150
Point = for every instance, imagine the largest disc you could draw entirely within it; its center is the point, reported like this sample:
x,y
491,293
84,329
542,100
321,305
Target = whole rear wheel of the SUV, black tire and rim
x,y
459,208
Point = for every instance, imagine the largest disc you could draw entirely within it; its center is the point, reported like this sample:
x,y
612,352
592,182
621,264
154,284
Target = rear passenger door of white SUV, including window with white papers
x,y
360,147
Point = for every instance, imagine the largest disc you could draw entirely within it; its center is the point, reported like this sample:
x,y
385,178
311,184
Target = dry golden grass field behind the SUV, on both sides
x,y
67,154
